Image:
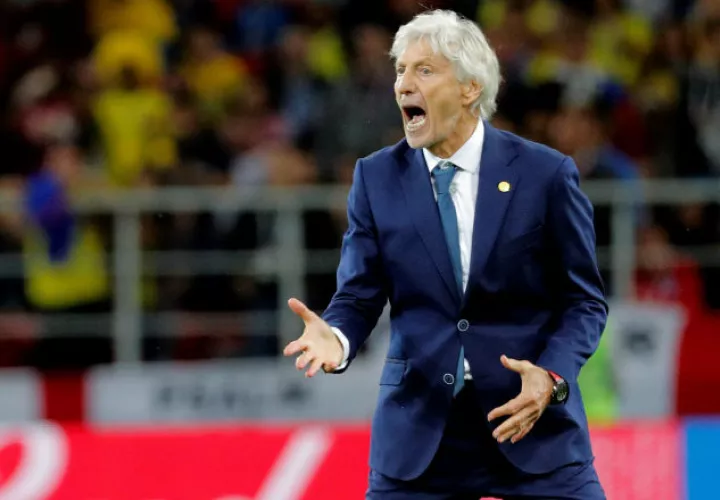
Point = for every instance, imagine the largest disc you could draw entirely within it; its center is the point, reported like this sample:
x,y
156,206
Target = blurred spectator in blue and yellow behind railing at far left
x,y
65,267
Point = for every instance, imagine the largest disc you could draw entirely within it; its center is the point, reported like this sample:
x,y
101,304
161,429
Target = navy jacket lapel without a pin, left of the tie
x,y
420,199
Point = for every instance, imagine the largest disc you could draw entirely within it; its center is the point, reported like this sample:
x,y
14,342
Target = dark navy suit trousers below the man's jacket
x,y
469,465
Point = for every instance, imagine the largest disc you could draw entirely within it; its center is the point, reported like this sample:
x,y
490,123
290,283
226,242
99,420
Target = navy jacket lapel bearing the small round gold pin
x,y
493,198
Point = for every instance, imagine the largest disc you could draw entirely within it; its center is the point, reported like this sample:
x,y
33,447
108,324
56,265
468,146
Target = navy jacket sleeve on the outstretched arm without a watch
x,y
361,293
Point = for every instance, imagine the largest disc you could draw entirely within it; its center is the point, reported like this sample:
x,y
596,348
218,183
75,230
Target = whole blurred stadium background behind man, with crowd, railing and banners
x,y
173,170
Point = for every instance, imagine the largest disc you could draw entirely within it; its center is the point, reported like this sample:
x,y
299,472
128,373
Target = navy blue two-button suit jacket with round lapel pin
x,y
534,293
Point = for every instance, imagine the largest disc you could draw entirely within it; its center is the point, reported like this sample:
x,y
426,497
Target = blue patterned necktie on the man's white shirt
x,y
443,175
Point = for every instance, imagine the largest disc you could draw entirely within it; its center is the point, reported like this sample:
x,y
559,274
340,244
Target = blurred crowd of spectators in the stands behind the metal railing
x,y
116,94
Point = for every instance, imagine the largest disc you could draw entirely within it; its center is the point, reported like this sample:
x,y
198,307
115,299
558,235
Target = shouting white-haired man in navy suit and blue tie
x,y
484,246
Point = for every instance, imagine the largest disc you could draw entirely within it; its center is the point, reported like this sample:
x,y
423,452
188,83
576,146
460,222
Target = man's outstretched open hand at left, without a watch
x,y
318,345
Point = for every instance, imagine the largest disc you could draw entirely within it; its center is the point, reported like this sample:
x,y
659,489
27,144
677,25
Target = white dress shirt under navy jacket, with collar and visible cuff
x,y
463,190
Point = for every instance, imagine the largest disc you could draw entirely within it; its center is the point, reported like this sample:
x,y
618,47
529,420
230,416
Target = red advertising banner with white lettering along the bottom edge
x,y
266,463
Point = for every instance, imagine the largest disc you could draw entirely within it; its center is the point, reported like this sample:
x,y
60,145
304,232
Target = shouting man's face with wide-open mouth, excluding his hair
x,y
431,98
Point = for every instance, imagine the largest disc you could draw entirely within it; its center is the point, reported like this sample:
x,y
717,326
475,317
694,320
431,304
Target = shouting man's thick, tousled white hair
x,y
462,43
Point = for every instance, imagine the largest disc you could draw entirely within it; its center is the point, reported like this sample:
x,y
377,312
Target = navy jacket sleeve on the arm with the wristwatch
x,y
583,309
